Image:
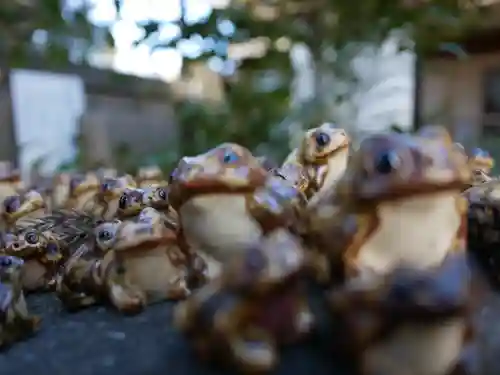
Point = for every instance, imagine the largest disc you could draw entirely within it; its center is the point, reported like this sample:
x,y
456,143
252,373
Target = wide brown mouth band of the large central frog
x,y
183,190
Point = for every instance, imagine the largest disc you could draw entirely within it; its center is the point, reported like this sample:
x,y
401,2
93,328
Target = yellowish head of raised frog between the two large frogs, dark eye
x,y
323,142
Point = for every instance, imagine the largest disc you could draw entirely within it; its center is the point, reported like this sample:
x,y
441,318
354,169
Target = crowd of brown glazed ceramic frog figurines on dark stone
x,y
380,231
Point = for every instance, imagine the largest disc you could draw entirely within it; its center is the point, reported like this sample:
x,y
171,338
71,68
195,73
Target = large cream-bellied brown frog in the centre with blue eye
x,y
226,201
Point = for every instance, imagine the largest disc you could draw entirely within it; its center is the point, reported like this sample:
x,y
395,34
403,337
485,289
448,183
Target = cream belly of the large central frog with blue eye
x,y
218,225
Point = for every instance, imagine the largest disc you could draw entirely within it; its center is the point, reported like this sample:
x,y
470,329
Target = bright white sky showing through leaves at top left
x,y
164,63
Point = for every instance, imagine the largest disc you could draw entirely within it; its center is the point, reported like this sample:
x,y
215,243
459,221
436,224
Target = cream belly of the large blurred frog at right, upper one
x,y
416,232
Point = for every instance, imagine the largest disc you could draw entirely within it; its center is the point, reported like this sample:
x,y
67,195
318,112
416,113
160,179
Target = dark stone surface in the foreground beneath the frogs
x,y
99,341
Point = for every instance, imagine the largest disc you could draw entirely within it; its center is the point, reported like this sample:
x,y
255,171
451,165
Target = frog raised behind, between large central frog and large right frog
x,y
323,154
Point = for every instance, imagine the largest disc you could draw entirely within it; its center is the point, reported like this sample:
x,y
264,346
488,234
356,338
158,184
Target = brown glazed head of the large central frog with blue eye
x,y
226,169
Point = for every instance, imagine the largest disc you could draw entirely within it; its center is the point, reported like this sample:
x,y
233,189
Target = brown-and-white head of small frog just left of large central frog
x,y
142,236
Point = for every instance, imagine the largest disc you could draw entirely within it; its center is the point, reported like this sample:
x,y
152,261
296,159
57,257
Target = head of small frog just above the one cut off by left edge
x,y
33,244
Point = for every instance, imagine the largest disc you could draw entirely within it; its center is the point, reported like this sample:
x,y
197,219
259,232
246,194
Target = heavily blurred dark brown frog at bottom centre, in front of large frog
x,y
256,305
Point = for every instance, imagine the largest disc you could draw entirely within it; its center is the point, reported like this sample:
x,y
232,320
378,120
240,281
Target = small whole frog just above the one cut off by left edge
x,y
42,254
